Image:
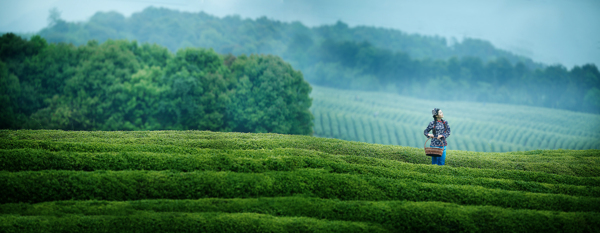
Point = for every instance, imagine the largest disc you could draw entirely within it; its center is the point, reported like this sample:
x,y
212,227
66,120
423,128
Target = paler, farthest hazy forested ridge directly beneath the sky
x,y
232,34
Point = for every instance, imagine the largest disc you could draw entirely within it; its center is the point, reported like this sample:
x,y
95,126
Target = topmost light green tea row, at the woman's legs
x,y
549,161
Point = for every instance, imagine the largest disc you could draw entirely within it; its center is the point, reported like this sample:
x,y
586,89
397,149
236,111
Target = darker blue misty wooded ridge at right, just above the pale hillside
x,y
355,65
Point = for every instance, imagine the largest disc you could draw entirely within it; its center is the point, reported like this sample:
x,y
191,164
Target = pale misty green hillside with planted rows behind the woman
x,y
396,120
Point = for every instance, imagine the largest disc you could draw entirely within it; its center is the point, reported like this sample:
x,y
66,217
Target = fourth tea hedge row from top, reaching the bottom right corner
x,y
401,216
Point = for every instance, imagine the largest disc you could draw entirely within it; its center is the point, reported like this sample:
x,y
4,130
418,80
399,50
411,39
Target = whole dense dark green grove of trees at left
x,y
122,85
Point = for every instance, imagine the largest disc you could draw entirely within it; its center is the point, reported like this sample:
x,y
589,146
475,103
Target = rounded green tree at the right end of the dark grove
x,y
271,97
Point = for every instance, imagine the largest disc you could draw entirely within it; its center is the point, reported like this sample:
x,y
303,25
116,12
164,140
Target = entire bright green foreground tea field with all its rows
x,y
199,181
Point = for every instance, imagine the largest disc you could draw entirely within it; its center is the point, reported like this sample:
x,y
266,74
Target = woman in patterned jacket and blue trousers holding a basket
x,y
441,131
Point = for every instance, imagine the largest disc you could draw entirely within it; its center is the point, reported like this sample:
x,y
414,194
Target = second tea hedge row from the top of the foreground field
x,y
246,161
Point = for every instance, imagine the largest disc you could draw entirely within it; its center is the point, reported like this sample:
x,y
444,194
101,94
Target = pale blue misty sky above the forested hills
x,y
549,31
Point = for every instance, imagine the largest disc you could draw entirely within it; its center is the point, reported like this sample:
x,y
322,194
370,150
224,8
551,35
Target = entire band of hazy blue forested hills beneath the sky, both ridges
x,y
364,58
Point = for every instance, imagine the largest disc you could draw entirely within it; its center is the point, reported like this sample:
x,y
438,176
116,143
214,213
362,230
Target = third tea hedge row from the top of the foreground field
x,y
137,185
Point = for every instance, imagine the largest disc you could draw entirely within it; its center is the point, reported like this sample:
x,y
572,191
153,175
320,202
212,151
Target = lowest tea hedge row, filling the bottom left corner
x,y
142,221
